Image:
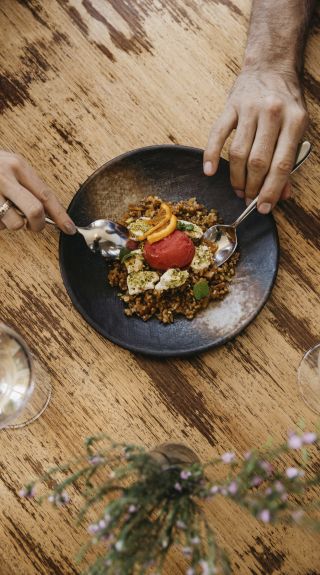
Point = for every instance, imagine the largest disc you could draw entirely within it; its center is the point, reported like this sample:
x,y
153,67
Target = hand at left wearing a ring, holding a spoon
x,y
20,184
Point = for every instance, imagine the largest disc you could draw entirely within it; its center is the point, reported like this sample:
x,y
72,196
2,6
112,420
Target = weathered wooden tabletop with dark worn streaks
x,y
81,83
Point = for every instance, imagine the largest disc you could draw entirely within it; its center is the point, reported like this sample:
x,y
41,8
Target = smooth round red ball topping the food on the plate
x,y
174,251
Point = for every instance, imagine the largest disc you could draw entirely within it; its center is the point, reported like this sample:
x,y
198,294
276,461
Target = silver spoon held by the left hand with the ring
x,y
104,237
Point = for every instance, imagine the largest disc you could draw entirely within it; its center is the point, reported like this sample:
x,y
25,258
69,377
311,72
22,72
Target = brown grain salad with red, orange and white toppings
x,y
171,270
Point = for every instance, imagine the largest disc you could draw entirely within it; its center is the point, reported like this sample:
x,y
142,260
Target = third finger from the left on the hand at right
x,y
260,158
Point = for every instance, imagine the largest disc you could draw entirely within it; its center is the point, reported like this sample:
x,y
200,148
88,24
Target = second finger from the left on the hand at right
x,y
239,151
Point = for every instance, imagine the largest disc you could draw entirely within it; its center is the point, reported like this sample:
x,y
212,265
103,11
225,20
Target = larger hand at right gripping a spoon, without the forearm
x,y
267,110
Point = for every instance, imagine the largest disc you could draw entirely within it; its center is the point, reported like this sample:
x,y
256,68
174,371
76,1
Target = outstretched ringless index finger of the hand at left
x,y
30,180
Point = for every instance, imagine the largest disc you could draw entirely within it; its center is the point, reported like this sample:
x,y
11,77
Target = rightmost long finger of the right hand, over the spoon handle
x,y
281,166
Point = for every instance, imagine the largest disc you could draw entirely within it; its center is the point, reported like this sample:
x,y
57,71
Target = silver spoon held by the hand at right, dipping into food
x,y
225,236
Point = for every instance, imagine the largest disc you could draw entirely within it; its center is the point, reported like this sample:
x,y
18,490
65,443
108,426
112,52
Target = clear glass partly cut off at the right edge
x,y
309,378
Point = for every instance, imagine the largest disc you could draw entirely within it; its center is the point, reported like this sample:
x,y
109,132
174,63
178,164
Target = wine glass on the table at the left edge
x,y
25,387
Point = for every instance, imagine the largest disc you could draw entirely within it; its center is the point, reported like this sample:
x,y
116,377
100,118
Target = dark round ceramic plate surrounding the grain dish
x,y
173,173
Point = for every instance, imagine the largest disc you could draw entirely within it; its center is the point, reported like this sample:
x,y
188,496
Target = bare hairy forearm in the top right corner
x,y
277,35
